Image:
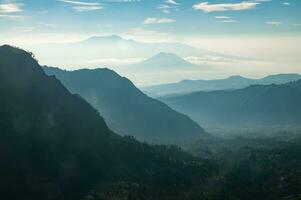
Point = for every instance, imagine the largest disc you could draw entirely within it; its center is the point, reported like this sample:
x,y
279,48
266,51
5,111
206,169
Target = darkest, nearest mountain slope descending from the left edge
x,y
54,145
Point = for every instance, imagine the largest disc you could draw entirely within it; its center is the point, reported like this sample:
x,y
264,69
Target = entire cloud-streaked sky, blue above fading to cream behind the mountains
x,y
265,29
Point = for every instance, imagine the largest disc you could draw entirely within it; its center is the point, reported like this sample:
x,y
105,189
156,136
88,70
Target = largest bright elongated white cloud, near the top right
x,y
206,7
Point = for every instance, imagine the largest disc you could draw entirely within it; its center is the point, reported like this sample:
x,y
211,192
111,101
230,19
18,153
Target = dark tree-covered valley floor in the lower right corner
x,y
252,166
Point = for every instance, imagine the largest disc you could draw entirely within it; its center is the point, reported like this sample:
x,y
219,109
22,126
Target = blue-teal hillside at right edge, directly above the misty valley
x,y
257,106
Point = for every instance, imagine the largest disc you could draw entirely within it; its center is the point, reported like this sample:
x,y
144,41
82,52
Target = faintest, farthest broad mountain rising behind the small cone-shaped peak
x,y
101,50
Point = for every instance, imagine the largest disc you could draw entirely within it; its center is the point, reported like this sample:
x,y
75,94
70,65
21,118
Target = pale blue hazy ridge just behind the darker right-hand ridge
x,y
233,82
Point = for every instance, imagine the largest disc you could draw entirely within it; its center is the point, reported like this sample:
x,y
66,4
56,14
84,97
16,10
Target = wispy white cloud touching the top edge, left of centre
x,y
81,6
